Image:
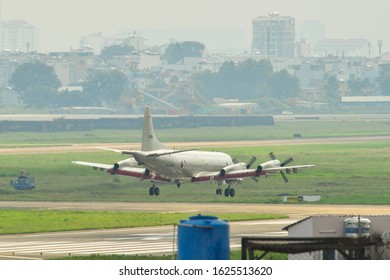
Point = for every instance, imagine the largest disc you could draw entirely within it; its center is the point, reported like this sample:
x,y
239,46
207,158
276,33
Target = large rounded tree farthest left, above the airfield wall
x,y
30,77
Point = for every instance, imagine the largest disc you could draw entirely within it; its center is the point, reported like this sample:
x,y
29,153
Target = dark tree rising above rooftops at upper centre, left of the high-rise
x,y
176,52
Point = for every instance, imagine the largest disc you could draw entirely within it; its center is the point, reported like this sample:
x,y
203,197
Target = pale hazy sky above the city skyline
x,y
61,22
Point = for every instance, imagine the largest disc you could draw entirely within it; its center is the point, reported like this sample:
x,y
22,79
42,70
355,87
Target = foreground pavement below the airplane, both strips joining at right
x,y
156,240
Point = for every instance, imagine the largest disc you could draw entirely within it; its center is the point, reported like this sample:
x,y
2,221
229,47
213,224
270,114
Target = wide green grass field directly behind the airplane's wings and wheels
x,y
344,173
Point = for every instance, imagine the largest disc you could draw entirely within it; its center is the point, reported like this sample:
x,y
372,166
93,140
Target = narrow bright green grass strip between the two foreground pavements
x,y
30,221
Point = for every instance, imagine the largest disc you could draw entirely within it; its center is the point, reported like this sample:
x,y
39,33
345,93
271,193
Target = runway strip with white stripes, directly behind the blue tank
x,y
131,241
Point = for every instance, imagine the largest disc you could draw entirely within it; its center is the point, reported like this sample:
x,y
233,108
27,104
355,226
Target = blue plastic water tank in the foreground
x,y
203,238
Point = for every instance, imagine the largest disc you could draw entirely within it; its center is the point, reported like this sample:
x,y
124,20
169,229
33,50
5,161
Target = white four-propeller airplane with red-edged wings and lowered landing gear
x,y
161,165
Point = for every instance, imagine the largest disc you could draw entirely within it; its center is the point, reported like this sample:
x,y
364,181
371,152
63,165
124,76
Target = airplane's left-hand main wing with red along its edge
x,y
125,171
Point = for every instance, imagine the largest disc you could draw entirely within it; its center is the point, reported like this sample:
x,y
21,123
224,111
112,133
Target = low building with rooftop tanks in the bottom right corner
x,y
342,237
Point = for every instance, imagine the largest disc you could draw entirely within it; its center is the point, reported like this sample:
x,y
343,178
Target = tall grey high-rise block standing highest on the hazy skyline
x,y
274,35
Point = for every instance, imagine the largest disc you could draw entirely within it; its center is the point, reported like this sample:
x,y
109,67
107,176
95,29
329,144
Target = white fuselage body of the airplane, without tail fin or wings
x,y
185,164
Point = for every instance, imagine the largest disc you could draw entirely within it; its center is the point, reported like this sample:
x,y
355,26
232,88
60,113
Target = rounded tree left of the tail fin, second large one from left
x,y
106,86
